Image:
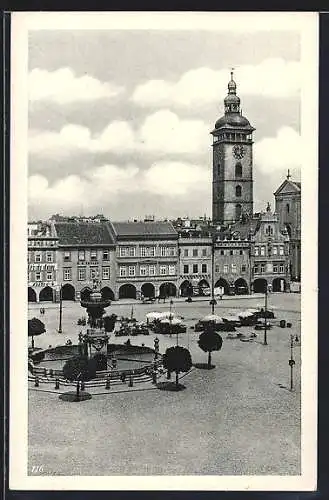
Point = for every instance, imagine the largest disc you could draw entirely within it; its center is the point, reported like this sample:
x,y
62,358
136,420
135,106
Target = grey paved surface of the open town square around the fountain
x,y
239,418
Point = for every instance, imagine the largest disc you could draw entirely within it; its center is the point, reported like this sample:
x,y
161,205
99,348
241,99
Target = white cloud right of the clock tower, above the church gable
x,y
279,153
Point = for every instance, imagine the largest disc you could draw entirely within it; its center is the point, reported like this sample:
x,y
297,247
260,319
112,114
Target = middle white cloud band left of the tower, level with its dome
x,y
161,132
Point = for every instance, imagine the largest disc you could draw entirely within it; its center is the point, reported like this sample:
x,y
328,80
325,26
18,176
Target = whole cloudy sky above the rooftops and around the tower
x,y
119,121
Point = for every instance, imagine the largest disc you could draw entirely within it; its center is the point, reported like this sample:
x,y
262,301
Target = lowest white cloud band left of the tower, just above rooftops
x,y
106,184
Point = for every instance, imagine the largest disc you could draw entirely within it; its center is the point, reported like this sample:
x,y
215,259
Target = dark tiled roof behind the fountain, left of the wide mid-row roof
x,y
83,233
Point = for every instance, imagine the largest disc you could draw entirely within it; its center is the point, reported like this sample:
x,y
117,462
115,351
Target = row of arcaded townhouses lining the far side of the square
x,y
150,258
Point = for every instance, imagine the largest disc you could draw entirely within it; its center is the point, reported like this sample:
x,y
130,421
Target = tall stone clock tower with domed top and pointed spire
x,y
232,194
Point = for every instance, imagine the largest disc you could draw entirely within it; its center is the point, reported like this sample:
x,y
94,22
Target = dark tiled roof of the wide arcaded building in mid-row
x,y
146,229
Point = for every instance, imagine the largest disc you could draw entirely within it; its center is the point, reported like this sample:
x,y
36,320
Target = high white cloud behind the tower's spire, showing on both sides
x,y
274,77
